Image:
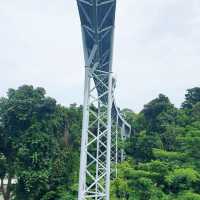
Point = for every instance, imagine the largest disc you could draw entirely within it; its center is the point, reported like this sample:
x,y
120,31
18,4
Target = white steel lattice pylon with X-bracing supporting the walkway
x,y
96,137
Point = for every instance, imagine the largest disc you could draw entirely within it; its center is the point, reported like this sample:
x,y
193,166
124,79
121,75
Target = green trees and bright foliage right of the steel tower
x,y
164,148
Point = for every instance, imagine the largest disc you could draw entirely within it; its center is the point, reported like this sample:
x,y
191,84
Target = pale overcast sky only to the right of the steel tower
x,y
157,50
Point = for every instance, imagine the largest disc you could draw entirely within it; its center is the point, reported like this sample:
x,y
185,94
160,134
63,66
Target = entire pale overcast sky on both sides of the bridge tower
x,y
157,49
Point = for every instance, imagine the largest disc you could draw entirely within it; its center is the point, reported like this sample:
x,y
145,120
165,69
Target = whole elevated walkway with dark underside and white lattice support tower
x,y
103,124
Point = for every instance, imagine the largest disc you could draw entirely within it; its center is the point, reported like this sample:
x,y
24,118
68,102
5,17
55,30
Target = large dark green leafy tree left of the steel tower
x,y
33,129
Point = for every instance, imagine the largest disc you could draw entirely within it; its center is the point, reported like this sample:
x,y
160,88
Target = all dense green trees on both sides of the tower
x,y
40,142
